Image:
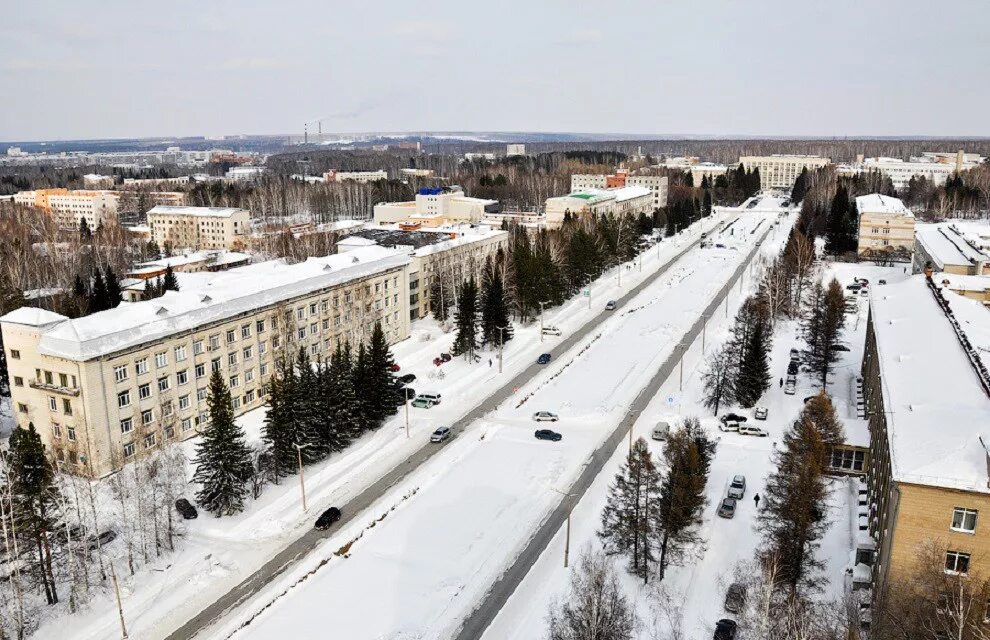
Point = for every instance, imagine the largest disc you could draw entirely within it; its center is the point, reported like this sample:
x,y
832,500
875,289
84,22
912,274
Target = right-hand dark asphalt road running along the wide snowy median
x,y
478,621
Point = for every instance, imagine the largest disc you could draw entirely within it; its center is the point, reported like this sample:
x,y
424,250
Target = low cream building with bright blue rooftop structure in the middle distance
x,y
436,206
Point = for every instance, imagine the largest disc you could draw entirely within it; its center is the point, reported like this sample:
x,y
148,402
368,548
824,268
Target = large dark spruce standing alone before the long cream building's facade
x,y
223,459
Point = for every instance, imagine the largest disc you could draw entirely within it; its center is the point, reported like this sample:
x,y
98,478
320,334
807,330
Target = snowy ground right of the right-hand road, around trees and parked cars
x,y
698,587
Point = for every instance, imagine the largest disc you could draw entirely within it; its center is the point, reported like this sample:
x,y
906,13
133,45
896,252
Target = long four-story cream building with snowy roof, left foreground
x,y
105,388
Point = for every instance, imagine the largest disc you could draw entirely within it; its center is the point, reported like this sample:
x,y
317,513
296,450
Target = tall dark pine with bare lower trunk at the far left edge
x,y
34,499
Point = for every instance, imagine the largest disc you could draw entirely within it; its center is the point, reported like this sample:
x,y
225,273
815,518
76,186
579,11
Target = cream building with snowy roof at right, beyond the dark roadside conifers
x,y
886,228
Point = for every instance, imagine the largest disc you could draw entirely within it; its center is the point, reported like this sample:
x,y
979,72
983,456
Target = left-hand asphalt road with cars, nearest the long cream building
x,y
301,546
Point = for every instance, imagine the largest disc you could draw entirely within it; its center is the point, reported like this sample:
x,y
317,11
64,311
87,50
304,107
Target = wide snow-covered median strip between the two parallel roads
x,y
463,517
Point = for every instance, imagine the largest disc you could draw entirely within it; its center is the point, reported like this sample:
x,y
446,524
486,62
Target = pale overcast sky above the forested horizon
x,y
127,68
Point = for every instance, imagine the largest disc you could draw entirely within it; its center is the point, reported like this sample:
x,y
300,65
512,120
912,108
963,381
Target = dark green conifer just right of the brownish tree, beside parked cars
x,y
687,456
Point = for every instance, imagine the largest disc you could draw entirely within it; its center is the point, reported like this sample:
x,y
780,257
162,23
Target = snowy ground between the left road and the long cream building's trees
x,y
214,555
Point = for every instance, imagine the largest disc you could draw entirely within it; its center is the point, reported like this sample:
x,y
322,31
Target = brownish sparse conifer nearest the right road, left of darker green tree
x,y
632,509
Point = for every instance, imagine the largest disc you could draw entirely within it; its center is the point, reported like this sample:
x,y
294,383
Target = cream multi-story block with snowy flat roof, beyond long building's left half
x,y
199,227
